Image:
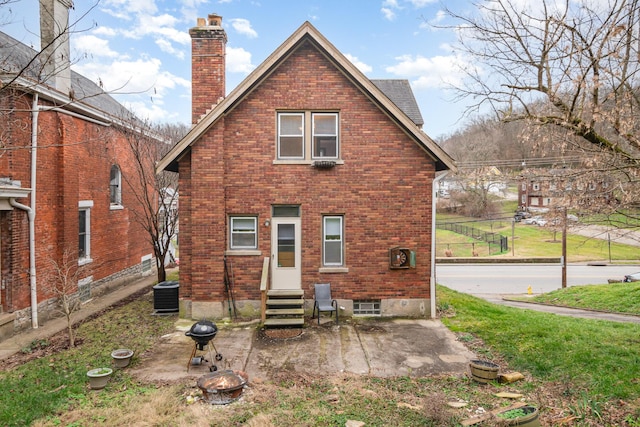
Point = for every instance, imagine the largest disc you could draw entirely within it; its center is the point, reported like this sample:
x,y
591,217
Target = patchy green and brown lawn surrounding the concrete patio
x,y
579,370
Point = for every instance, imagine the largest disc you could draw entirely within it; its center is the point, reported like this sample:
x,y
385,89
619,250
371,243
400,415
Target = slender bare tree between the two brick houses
x,y
156,196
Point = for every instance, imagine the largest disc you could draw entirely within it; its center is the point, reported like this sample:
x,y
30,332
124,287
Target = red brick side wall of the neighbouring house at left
x,y
74,159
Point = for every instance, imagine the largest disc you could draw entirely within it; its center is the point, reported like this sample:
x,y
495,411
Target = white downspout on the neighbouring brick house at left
x,y
31,214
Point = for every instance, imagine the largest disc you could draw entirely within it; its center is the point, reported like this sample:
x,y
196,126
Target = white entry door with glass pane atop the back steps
x,y
286,258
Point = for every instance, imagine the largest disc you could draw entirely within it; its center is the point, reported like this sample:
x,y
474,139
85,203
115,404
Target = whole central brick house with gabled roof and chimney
x,y
307,172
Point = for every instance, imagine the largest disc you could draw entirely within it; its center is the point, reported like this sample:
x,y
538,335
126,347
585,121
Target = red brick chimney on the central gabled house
x,y
208,43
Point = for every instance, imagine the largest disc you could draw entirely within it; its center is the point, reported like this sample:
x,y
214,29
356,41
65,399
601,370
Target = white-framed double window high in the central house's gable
x,y
306,136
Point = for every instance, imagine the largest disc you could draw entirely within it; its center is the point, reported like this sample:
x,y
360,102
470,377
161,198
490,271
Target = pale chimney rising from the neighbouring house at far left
x,y
54,43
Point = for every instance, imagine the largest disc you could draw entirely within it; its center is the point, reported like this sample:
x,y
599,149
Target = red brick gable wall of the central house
x,y
383,189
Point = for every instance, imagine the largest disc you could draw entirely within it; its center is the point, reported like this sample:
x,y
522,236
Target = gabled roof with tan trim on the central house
x,y
307,33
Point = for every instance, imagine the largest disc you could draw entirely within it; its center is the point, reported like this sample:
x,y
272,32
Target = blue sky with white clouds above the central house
x,y
140,50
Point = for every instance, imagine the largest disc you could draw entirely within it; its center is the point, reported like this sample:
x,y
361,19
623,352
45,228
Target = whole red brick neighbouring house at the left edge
x,y
63,198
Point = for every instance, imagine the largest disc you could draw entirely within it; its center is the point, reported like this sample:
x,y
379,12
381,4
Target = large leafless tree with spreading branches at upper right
x,y
569,70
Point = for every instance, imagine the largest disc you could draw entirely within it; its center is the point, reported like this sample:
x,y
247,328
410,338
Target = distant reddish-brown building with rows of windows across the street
x,y
543,189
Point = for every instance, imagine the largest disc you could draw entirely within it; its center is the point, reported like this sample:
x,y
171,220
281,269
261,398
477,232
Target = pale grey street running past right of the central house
x,y
483,279
